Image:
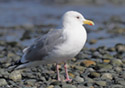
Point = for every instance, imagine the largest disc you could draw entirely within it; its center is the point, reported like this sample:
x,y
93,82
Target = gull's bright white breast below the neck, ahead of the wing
x,y
75,41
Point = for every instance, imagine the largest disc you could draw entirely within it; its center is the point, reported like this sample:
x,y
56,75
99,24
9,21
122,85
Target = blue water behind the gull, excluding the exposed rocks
x,y
32,13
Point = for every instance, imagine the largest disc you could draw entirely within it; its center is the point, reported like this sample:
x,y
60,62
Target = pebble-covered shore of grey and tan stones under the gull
x,y
100,67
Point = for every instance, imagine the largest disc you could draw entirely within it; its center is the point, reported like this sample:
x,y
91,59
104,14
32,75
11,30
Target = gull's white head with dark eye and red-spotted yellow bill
x,y
73,17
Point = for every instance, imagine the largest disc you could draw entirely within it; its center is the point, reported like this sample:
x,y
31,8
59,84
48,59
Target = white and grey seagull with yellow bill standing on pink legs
x,y
58,45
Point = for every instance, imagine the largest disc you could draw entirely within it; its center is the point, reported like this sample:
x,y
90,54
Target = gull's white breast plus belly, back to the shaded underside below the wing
x,y
75,40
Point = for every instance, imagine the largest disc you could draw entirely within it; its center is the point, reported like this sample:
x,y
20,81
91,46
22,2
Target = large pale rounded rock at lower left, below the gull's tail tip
x,y
15,76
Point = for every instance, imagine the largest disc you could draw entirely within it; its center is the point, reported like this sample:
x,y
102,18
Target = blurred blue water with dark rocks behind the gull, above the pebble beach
x,y
21,21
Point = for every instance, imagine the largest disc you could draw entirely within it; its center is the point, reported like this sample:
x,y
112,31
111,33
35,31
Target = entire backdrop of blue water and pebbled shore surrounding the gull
x,y
101,64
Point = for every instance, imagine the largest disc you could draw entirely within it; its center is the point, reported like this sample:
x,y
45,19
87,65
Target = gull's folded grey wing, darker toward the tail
x,y
44,45
